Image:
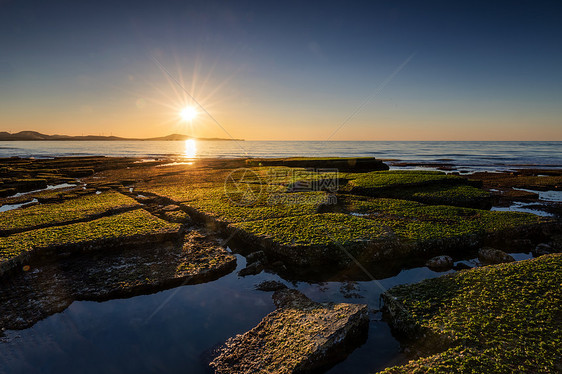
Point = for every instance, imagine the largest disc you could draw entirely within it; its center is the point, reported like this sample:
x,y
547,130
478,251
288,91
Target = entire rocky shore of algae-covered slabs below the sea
x,y
97,228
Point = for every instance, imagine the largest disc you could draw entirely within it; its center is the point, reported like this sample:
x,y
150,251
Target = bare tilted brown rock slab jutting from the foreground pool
x,y
299,336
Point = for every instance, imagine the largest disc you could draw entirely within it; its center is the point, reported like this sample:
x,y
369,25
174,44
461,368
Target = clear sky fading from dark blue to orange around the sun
x,y
290,70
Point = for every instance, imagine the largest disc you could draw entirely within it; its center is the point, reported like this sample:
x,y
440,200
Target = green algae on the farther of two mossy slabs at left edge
x,y
67,211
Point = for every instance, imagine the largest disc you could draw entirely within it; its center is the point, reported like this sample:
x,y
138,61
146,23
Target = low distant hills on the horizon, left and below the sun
x,y
34,135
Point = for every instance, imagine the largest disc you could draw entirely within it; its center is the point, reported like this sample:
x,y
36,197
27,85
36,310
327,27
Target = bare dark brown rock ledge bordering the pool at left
x,y
48,288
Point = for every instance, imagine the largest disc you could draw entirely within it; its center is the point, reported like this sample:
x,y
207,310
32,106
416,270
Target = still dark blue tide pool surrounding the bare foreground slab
x,y
172,331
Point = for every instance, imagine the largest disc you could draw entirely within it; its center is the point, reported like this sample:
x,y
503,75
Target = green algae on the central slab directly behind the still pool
x,y
389,221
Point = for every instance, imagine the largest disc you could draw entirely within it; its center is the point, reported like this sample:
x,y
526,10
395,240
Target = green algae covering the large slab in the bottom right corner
x,y
503,318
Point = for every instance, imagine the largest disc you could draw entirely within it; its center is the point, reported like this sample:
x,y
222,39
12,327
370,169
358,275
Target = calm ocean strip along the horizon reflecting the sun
x,y
472,154
